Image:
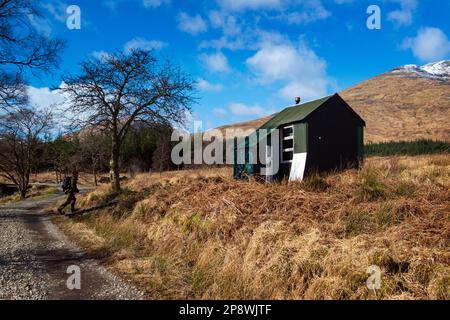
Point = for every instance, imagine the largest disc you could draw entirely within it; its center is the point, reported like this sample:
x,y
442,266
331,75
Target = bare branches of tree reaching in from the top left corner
x,y
22,48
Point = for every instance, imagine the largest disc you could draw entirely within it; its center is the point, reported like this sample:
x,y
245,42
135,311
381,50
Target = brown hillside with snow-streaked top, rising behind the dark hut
x,y
407,103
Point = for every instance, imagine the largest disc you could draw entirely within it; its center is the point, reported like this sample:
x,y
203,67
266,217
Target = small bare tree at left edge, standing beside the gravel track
x,y
21,132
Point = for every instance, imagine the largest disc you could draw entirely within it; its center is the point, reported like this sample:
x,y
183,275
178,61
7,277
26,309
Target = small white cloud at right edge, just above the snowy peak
x,y
430,44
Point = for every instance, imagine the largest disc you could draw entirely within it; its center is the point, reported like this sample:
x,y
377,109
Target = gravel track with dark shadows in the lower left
x,y
35,256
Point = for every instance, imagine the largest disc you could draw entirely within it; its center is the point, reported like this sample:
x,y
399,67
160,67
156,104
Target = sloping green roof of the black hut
x,y
294,113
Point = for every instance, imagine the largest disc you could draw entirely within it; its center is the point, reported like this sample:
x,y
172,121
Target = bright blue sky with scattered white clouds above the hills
x,y
252,57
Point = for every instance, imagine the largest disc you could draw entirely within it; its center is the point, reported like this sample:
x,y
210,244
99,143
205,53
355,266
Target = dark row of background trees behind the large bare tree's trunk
x,y
143,149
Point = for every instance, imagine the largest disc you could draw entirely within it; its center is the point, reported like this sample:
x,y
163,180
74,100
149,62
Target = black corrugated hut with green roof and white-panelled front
x,y
320,135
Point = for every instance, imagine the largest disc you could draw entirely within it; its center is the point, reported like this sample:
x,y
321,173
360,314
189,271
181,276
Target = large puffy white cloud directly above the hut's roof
x,y
300,71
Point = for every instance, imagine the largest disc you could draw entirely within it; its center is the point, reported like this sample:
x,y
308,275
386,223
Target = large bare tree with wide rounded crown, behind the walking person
x,y
113,92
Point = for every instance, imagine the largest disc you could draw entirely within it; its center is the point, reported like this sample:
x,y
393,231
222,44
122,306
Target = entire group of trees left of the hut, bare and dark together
x,y
120,108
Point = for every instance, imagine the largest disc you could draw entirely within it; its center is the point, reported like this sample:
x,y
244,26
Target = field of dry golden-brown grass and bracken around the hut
x,y
201,234
